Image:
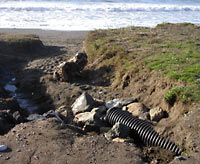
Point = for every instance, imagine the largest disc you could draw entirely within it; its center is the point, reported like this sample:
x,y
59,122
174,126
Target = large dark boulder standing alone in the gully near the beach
x,y
71,69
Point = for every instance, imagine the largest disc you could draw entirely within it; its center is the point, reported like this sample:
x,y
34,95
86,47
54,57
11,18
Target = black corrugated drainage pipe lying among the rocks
x,y
142,128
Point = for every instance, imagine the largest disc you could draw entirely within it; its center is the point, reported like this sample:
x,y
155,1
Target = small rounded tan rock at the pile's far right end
x,y
156,114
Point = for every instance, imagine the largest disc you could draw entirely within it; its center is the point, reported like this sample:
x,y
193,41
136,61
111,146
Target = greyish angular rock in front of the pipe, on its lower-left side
x,y
118,130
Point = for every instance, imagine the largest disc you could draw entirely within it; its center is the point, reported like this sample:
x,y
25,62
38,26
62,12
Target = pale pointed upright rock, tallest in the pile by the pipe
x,y
83,104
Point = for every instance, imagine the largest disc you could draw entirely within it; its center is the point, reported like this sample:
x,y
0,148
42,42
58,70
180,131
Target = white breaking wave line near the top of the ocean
x,y
102,7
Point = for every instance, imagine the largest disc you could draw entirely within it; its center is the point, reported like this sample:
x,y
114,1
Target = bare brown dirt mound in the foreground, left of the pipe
x,y
50,142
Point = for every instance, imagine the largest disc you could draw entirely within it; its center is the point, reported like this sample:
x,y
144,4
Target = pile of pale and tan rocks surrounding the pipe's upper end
x,y
89,114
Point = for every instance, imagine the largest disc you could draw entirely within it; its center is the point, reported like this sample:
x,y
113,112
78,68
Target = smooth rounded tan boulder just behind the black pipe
x,y
136,109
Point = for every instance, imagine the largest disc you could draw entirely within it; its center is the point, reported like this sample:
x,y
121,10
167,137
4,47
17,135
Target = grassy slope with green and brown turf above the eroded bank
x,y
173,49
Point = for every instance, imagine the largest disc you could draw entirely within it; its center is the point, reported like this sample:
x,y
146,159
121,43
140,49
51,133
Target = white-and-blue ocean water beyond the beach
x,y
73,15
